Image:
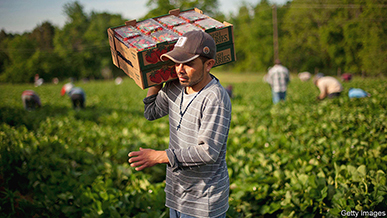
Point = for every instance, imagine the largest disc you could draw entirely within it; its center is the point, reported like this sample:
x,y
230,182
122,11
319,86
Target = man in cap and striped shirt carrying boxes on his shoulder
x,y
199,109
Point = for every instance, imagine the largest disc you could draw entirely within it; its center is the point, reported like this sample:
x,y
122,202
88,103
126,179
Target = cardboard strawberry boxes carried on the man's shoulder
x,y
136,47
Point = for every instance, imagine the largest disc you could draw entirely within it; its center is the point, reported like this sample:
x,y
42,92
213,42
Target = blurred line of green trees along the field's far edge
x,y
329,36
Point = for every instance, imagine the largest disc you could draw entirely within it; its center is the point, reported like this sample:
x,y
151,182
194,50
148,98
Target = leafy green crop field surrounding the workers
x,y
299,158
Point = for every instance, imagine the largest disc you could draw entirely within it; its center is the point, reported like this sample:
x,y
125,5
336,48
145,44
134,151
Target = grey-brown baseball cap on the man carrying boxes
x,y
190,46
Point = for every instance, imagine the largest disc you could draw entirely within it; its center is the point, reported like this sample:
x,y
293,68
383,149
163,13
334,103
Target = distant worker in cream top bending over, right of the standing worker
x,y
328,86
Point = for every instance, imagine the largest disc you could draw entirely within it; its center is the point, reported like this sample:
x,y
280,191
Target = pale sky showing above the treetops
x,y
19,16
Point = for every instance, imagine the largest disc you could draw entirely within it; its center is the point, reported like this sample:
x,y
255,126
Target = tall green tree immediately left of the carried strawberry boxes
x,y
83,41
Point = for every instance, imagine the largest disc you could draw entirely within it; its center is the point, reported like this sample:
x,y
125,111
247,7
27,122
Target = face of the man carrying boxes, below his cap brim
x,y
191,73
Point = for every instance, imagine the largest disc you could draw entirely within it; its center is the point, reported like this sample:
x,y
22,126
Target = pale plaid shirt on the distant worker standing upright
x,y
278,78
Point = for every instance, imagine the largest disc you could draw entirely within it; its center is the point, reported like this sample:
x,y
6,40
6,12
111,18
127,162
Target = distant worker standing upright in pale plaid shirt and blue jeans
x,y
278,78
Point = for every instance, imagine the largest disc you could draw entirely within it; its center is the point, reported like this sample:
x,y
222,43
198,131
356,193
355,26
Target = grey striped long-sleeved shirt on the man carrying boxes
x,y
197,181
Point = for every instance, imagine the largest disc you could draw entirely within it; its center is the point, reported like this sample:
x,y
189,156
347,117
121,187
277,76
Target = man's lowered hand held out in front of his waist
x,y
147,158
